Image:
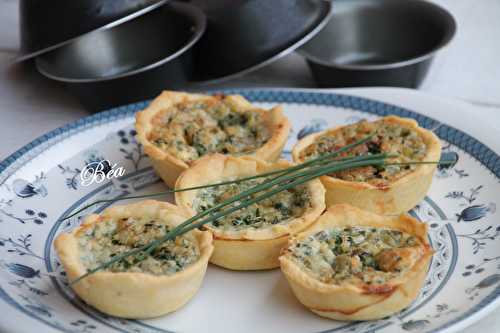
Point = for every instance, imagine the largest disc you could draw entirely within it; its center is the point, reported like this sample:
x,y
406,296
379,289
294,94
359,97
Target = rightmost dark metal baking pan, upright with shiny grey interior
x,y
378,43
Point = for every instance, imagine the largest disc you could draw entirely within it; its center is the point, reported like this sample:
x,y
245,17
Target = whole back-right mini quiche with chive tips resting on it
x,y
393,189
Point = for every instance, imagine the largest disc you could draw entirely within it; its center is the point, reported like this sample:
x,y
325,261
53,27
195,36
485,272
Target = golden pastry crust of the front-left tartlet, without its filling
x,y
135,294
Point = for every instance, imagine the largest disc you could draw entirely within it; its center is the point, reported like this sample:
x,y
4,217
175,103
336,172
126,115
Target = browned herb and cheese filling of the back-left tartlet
x,y
190,130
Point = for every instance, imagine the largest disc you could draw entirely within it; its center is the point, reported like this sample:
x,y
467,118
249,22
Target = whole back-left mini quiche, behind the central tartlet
x,y
178,128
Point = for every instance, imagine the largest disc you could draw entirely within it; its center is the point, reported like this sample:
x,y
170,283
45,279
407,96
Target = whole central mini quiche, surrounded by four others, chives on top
x,y
250,238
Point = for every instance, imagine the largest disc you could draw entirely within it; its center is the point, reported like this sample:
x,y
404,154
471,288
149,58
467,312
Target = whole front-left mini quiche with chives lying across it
x,y
134,288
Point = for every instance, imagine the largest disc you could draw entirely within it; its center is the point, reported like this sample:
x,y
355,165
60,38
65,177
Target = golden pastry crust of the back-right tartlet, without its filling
x,y
396,197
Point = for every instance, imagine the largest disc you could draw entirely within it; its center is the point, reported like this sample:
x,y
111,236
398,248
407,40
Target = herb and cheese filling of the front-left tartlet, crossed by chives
x,y
101,241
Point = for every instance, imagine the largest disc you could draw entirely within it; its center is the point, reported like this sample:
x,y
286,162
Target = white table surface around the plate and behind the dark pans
x,y
467,70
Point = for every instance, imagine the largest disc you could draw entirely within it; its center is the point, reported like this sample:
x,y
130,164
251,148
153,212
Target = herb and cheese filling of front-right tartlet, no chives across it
x,y
356,255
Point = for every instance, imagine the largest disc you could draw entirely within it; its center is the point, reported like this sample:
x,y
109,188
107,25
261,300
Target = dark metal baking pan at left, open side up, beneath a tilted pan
x,y
130,62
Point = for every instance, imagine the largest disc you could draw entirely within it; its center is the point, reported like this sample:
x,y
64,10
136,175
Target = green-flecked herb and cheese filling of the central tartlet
x,y
280,208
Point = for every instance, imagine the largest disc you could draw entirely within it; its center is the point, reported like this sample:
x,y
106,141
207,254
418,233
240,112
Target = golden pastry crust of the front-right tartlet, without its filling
x,y
359,302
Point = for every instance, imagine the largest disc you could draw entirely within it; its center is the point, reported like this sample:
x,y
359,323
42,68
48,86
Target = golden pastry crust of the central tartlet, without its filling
x,y
247,249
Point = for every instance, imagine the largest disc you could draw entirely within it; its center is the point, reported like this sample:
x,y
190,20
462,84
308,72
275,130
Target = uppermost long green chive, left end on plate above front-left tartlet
x,y
319,159
